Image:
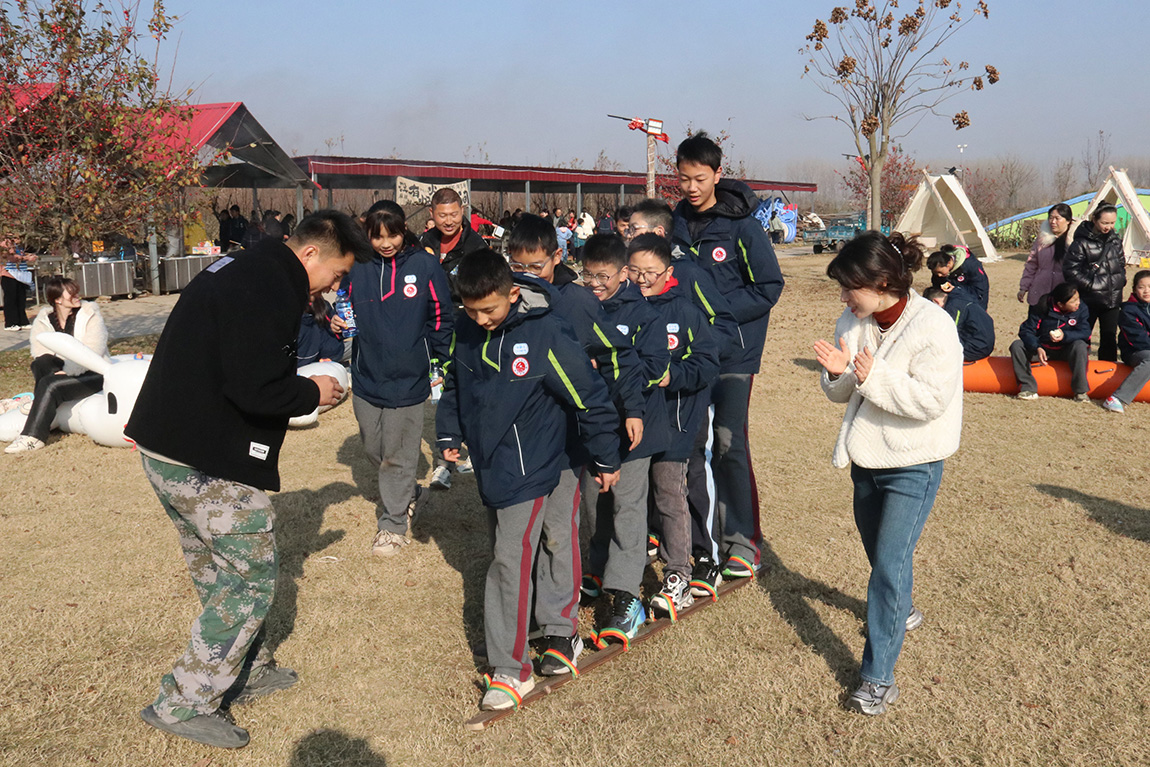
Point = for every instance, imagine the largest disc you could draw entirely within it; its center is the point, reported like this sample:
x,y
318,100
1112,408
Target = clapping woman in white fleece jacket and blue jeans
x,y
898,364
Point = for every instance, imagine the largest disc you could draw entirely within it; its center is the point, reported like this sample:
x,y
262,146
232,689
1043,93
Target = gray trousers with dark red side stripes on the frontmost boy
x,y
539,538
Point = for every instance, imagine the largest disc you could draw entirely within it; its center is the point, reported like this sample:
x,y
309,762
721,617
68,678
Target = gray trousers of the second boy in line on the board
x,y
618,523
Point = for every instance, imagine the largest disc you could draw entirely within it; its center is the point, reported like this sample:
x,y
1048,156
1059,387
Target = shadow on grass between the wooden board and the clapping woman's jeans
x,y
791,594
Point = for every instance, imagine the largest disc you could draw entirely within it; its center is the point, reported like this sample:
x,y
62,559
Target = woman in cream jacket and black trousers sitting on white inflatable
x,y
59,381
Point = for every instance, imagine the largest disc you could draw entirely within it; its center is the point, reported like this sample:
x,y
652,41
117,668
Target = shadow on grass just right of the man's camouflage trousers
x,y
300,516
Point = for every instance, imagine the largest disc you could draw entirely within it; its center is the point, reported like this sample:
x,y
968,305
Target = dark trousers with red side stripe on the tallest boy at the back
x,y
737,492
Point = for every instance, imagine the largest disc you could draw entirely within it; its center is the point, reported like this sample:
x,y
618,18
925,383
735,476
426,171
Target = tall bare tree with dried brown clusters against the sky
x,y
887,73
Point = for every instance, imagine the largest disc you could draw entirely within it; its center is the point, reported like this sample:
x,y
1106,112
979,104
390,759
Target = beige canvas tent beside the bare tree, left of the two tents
x,y
940,213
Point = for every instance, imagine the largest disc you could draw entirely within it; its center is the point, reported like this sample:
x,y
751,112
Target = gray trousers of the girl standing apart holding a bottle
x,y
392,439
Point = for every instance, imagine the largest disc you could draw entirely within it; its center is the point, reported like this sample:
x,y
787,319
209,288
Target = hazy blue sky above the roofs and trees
x,y
531,83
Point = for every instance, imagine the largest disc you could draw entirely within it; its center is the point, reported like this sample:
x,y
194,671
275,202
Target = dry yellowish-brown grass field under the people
x,y
1033,573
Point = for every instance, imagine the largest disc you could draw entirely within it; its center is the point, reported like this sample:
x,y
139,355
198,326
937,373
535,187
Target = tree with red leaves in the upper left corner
x,y
90,143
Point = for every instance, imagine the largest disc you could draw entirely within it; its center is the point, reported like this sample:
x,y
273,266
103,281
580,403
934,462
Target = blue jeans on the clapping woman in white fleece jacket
x,y
891,510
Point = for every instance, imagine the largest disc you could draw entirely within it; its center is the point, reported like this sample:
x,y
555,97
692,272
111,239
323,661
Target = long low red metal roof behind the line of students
x,y
323,166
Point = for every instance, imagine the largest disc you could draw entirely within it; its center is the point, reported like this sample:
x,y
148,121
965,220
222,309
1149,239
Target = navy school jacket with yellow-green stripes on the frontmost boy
x,y
508,393
